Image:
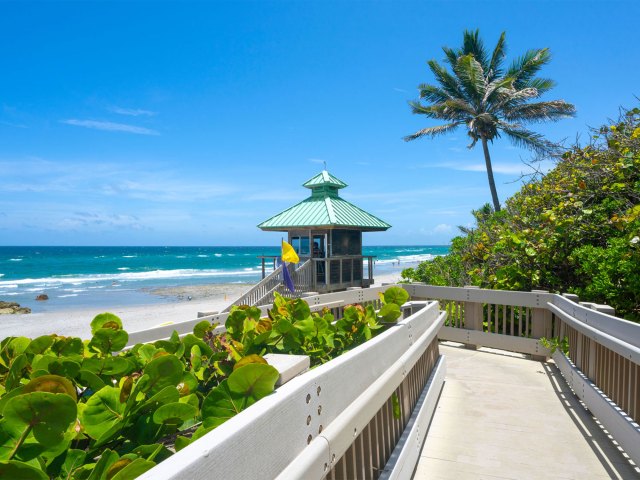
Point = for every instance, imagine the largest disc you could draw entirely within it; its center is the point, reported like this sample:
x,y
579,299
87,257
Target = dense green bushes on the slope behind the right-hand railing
x,y
574,229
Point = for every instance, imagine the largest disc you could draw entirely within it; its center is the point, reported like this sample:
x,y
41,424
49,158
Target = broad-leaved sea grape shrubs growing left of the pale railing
x,y
90,410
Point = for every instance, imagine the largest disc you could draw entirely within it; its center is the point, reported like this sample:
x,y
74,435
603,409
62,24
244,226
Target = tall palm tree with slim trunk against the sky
x,y
489,100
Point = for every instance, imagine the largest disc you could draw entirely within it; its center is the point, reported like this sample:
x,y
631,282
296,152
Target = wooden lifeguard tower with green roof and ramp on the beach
x,y
326,232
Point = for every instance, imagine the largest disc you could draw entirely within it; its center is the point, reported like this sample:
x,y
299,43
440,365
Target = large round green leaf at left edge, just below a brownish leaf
x,y
49,415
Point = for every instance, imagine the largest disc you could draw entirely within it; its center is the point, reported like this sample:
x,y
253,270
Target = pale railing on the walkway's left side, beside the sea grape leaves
x,y
335,421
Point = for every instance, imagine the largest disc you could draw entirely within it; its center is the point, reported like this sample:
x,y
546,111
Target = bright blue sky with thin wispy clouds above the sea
x,y
161,123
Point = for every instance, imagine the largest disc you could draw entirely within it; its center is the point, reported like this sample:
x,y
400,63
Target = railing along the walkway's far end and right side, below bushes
x,y
602,365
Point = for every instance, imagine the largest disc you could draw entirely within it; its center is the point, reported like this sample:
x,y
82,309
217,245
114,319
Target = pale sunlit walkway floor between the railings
x,y
501,416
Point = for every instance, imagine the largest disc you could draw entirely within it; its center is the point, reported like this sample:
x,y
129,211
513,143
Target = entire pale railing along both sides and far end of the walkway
x,y
336,421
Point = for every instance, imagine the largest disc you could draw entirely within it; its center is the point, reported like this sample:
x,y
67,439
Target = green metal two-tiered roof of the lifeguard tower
x,y
324,208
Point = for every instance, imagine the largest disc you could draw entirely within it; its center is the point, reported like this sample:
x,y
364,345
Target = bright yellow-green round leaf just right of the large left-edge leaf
x,y
102,412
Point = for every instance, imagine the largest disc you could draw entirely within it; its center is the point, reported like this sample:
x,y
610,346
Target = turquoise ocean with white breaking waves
x,y
87,276
